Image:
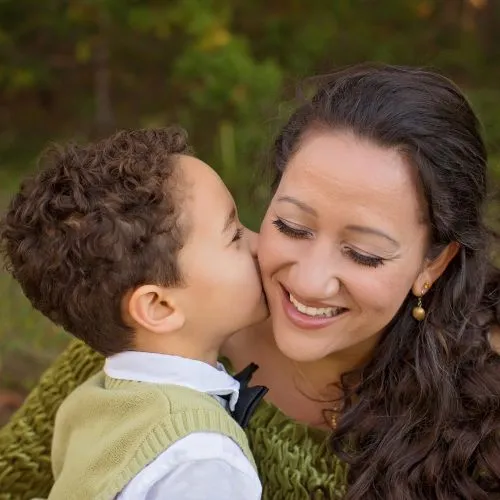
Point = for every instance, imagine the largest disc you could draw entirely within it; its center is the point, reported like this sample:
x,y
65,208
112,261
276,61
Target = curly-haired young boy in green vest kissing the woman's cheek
x,y
135,247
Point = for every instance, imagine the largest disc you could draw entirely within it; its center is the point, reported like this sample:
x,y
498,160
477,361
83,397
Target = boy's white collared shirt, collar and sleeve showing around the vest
x,y
203,465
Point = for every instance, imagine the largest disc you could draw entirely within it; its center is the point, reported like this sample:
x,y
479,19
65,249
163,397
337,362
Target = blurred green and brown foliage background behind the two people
x,y
226,70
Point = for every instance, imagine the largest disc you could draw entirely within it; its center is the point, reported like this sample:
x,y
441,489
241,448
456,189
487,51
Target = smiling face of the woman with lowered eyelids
x,y
341,245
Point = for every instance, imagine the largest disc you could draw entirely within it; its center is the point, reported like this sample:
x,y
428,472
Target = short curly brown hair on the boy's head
x,y
96,222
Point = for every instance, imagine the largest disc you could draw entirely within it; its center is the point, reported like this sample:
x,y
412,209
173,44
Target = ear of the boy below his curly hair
x,y
153,308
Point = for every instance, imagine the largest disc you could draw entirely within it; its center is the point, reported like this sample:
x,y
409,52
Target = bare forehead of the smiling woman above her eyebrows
x,y
336,171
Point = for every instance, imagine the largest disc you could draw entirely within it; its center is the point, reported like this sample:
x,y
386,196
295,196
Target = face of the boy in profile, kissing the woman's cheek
x,y
223,292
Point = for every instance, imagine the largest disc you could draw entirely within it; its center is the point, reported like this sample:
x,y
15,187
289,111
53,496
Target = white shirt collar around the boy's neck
x,y
166,369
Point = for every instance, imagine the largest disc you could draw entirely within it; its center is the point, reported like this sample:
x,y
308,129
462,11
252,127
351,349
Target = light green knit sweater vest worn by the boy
x,y
108,430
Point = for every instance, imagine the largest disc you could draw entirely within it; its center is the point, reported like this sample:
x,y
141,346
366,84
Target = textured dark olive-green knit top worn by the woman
x,y
293,460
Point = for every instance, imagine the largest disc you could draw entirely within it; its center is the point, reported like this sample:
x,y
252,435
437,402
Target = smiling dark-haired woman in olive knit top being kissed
x,y
382,349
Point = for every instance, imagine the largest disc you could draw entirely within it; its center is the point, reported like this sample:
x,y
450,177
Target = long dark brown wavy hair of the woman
x,y
424,421
